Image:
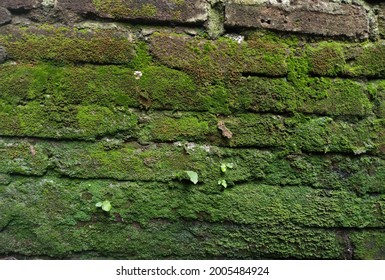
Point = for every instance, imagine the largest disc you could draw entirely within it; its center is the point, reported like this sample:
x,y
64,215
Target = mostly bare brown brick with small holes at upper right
x,y
320,18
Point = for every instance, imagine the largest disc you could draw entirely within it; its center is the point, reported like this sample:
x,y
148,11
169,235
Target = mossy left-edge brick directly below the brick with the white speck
x,y
70,122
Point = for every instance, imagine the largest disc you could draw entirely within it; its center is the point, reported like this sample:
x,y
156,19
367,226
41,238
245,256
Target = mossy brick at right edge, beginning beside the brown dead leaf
x,y
319,134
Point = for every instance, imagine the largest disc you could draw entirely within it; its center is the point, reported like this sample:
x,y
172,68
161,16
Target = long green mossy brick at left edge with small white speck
x,y
108,86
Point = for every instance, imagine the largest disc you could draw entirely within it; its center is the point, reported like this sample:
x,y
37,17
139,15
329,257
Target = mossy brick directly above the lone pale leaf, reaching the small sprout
x,y
114,159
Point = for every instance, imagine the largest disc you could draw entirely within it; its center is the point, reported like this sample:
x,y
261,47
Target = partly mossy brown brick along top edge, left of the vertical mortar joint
x,y
189,11
